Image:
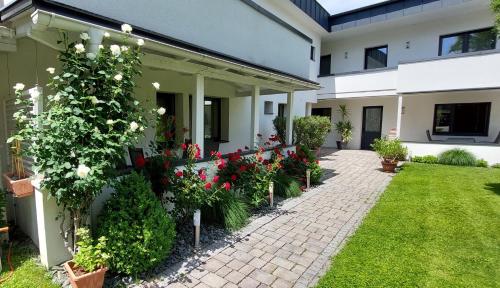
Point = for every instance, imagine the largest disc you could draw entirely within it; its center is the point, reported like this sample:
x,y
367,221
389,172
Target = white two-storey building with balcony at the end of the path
x,y
407,67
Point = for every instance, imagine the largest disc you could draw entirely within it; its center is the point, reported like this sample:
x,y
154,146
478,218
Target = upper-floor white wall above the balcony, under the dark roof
x,y
423,37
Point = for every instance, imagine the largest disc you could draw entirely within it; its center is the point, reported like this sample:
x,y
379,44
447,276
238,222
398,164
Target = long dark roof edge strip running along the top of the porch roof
x,y
82,15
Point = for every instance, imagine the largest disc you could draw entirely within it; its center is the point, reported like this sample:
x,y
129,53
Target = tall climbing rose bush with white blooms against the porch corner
x,y
85,126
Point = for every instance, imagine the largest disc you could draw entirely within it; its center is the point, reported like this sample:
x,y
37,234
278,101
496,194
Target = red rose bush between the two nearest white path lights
x,y
249,176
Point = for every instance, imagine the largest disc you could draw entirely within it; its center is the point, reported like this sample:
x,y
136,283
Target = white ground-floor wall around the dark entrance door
x,y
355,107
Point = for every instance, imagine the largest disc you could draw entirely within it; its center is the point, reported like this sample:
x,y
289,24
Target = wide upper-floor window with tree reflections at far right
x,y
471,41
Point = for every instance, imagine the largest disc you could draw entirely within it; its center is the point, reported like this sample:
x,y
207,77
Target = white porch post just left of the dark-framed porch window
x,y
197,134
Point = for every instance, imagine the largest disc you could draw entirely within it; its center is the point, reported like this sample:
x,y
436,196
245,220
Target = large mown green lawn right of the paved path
x,y
434,226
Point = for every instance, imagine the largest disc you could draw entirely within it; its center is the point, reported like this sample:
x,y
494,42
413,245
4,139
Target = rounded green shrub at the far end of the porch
x,y
311,131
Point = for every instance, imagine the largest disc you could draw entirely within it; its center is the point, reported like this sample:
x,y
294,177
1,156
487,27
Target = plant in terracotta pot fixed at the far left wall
x,y
18,181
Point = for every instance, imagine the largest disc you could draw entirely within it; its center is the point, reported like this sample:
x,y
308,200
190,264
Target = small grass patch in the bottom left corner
x,y
27,273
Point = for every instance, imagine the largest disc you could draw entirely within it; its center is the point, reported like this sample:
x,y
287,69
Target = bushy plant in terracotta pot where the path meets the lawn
x,y
391,152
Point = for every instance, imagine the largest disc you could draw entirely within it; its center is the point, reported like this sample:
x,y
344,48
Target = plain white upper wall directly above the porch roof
x,y
227,26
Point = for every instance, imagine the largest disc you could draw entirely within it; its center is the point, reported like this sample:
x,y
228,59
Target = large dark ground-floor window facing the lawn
x,y
462,119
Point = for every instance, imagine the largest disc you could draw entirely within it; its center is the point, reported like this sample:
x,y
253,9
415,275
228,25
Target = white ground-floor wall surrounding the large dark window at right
x,y
419,113
